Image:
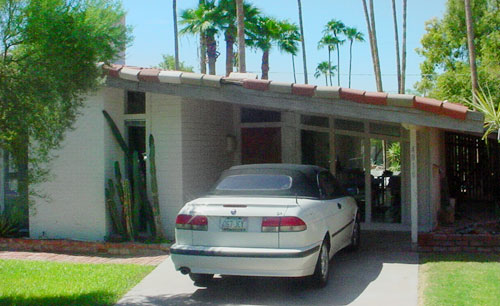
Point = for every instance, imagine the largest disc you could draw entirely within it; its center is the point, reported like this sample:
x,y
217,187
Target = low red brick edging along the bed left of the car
x,y
82,247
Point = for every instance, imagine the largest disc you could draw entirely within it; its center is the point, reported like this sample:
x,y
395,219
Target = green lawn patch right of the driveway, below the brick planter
x,y
460,279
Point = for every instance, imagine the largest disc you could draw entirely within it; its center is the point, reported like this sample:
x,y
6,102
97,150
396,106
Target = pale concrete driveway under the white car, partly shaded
x,y
383,272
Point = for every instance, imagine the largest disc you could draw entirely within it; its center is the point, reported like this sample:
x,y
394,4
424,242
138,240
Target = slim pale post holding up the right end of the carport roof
x,y
414,184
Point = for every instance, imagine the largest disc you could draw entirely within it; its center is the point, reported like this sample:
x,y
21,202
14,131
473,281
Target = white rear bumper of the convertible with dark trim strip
x,y
246,261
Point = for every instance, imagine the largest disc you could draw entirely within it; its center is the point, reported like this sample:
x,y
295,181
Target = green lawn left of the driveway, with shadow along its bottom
x,y
54,283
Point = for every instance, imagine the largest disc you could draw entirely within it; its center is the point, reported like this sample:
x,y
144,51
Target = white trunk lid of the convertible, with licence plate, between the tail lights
x,y
238,222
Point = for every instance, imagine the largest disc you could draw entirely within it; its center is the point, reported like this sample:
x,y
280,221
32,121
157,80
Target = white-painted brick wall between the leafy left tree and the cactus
x,y
75,207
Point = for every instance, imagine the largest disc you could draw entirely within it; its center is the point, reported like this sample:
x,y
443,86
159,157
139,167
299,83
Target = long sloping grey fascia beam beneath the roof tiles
x,y
236,94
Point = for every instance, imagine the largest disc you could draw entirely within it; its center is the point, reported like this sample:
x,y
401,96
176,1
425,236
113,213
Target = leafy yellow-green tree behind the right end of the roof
x,y
446,67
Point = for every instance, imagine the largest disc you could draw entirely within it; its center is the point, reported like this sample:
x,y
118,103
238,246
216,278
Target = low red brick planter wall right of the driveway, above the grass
x,y
441,242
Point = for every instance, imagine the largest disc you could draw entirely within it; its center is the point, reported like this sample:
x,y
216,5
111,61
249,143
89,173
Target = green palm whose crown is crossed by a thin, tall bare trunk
x,y
229,27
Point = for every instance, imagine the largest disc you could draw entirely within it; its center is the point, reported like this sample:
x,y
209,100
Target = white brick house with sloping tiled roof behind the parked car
x,y
387,148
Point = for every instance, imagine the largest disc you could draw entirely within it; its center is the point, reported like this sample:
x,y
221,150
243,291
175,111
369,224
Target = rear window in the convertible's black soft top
x,y
255,182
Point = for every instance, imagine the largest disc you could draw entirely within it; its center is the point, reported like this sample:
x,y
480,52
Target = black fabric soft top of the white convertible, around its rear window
x,y
304,180
